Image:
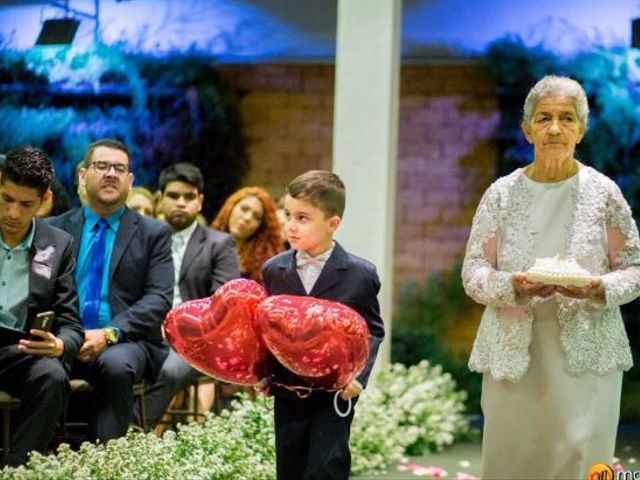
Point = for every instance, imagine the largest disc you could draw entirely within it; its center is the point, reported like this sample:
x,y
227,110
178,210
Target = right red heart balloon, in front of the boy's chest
x,y
324,342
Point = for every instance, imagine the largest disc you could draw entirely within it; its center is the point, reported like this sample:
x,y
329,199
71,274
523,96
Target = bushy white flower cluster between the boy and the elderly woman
x,y
410,409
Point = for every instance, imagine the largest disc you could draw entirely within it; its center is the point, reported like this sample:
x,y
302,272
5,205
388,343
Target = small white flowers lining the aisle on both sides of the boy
x,y
408,410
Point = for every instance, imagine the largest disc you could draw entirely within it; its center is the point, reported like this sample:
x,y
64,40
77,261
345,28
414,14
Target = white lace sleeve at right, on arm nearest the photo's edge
x,y
622,284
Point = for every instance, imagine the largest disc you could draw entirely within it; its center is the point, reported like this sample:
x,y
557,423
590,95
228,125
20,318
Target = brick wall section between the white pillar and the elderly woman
x,y
446,160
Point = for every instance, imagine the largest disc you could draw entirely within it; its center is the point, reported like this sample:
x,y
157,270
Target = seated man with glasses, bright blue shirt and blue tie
x,y
125,284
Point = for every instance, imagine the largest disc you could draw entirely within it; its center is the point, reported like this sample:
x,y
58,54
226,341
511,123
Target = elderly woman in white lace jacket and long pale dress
x,y
552,356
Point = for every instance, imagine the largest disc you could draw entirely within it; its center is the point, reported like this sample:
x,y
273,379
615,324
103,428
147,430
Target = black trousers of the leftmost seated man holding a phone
x,y
42,384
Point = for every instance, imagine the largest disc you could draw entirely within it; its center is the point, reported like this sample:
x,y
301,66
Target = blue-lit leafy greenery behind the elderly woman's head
x,y
610,78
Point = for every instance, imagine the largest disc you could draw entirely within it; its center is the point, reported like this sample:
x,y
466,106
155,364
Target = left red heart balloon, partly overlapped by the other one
x,y
216,335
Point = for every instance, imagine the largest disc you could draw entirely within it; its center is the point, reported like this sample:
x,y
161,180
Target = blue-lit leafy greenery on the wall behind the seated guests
x,y
166,110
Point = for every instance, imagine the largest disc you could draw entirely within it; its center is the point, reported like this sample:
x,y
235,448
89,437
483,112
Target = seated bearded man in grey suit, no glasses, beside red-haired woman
x,y
203,260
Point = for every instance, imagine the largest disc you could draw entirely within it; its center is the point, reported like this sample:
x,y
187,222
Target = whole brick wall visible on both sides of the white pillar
x,y
448,114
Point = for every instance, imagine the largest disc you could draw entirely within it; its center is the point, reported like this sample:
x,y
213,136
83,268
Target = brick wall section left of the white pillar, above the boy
x,y
287,113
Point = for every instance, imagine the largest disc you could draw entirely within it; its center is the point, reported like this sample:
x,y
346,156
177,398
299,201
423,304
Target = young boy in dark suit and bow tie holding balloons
x,y
312,441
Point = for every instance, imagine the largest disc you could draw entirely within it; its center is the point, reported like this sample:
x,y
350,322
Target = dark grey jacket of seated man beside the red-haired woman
x,y
209,261
